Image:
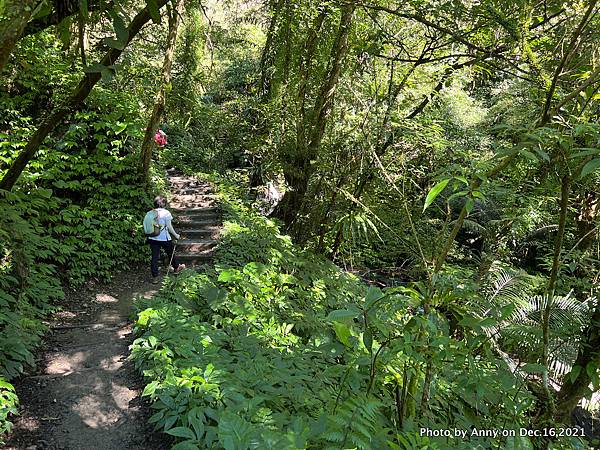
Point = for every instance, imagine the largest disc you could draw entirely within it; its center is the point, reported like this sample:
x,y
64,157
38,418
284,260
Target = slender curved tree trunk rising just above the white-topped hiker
x,y
159,104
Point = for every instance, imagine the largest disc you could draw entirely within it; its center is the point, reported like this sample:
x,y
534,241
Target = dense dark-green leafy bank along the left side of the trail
x,y
74,216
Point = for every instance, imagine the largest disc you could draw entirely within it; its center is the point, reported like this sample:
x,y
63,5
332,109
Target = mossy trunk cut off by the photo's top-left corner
x,y
14,18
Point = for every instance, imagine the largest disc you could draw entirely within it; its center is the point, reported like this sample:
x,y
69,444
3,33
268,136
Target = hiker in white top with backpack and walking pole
x,y
161,237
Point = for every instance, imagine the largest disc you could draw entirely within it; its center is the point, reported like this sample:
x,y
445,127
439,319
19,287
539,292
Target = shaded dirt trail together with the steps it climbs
x,y
85,394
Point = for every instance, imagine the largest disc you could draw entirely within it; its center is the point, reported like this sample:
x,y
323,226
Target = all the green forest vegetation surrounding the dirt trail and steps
x,y
411,198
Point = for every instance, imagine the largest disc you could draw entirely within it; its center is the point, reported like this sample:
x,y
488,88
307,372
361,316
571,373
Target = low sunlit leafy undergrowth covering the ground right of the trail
x,y
275,347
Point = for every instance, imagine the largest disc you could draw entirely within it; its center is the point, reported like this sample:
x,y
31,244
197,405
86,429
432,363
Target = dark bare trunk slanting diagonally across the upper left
x,y
74,101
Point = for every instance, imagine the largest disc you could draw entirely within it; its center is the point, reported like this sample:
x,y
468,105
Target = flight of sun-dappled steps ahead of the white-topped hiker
x,y
195,217
